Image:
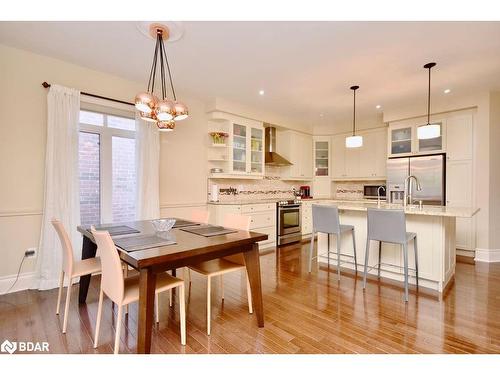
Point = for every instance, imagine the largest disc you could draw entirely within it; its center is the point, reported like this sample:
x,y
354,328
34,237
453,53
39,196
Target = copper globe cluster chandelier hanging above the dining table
x,y
163,112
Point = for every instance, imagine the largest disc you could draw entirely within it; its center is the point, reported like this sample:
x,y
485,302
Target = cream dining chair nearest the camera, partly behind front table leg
x,y
123,291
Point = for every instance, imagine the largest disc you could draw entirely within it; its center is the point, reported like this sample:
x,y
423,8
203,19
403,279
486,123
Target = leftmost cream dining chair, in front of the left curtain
x,y
71,268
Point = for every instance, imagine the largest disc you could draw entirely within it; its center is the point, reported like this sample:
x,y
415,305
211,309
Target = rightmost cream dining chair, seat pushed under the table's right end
x,y
222,266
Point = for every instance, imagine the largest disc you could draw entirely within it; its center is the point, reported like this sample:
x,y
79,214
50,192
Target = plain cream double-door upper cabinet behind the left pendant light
x,y
363,163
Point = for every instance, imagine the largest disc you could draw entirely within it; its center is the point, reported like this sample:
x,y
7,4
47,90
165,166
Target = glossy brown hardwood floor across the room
x,y
304,313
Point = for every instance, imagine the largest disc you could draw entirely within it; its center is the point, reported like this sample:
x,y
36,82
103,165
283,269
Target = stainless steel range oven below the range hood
x,y
288,221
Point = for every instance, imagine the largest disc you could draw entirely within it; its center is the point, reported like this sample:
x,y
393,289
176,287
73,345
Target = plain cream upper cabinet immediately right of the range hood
x,y
298,149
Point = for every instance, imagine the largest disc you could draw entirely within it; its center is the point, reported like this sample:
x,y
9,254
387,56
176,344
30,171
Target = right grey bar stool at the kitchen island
x,y
386,225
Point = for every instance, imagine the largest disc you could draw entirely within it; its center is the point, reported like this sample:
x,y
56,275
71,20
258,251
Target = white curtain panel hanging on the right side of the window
x,y
147,152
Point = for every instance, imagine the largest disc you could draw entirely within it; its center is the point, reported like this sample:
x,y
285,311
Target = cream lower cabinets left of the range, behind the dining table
x,y
263,218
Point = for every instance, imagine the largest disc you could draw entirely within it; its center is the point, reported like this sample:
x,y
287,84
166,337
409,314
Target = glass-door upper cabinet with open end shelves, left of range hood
x,y
239,152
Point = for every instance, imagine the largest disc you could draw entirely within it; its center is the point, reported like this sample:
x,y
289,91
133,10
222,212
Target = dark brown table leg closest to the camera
x,y
147,283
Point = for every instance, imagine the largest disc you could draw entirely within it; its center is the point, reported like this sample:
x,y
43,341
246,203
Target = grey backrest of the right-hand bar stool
x,y
386,225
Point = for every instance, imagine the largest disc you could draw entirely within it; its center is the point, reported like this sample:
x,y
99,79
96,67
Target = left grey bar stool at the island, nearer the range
x,y
326,220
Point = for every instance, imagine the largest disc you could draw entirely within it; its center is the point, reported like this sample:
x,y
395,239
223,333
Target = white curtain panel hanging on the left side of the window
x,y
61,198
